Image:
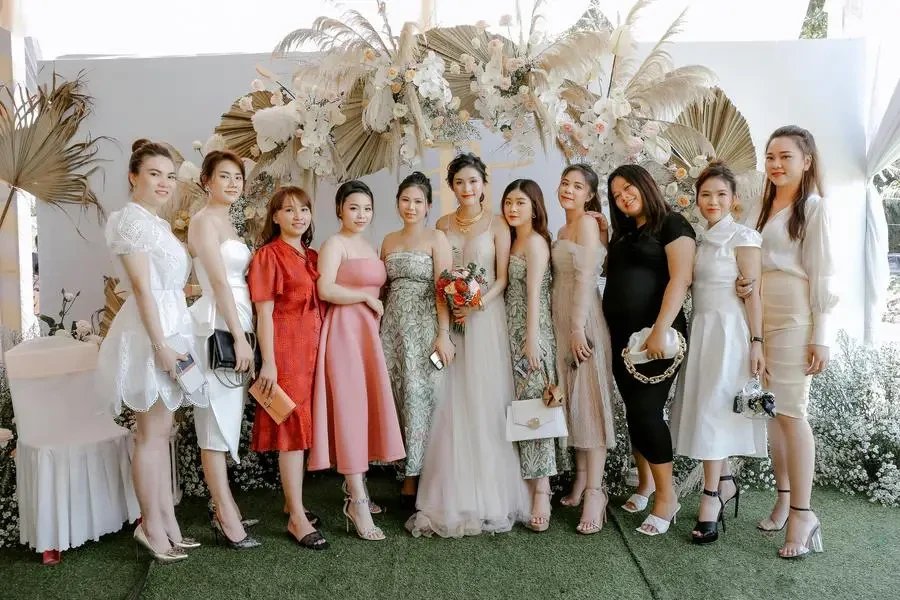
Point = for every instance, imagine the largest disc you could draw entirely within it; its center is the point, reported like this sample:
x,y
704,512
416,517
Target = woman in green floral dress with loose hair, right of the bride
x,y
532,344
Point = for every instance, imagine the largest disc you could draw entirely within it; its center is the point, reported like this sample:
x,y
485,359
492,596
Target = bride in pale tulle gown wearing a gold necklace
x,y
470,480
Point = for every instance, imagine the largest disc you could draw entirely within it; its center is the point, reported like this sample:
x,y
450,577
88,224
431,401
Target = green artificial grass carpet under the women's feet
x,y
861,559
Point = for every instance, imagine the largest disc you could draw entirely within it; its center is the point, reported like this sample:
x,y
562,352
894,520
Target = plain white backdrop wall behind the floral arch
x,y
815,84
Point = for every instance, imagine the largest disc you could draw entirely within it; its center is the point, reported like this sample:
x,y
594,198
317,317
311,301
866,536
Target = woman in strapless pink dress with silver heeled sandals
x,y
354,416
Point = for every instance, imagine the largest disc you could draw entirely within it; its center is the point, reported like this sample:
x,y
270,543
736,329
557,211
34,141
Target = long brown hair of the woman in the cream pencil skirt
x,y
810,183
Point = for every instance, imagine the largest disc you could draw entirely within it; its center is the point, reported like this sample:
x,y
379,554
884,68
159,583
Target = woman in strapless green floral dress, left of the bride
x,y
415,323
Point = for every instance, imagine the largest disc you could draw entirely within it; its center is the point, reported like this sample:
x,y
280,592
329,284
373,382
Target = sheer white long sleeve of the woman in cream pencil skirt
x,y
818,262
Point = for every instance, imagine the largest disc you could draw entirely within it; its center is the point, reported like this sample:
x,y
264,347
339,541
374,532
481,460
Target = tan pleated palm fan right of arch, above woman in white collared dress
x,y
714,123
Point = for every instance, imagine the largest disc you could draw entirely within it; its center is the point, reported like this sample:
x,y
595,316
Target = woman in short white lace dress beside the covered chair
x,y
150,334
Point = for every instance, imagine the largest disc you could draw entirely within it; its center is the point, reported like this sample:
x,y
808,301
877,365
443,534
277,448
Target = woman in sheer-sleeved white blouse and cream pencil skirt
x,y
799,293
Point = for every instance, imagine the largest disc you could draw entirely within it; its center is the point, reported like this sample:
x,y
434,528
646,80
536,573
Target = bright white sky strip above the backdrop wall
x,y
188,27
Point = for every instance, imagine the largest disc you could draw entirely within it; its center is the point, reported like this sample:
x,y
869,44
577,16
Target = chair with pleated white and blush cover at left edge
x,y
73,469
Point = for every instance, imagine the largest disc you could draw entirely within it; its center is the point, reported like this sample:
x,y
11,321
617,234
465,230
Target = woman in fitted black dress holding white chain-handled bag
x,y
650,264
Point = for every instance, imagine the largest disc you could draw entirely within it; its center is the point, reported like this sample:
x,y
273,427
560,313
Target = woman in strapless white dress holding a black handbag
x,y
221,259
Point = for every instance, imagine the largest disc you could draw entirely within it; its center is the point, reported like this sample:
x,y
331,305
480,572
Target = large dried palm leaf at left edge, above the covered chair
x,y
37,152
